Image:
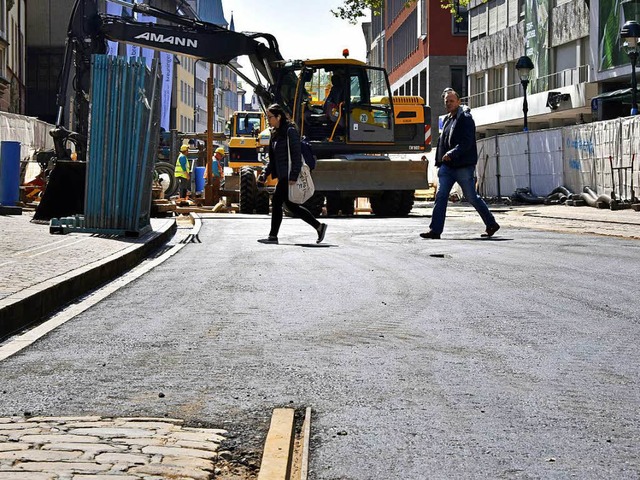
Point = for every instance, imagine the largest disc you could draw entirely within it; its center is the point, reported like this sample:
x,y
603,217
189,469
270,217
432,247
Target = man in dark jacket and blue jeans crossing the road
x,y
456,158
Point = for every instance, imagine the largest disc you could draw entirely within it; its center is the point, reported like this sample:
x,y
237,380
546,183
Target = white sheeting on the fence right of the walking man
x,y
601,155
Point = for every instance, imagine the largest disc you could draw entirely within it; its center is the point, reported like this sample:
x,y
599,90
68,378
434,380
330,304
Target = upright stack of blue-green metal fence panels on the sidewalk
x,y
123,134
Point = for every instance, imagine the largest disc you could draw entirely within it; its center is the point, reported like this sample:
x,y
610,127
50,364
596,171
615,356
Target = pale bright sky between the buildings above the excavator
x,y
304,29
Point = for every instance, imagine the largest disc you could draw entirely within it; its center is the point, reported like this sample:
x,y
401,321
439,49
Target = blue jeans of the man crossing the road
x,y
447,176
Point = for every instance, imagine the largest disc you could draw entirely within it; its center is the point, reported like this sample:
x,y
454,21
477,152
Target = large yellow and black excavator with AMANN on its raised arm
x,y
351,137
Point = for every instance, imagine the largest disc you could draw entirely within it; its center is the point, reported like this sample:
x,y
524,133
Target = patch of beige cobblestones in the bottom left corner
x,y
96,448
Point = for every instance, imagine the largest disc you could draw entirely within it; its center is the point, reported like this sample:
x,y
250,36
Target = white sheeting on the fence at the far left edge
x,y
33,135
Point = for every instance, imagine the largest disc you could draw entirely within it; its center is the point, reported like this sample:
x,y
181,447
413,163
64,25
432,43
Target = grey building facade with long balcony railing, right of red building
x,y
555,35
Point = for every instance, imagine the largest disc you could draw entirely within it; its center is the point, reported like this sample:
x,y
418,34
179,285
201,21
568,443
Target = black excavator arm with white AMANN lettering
x,y
89,31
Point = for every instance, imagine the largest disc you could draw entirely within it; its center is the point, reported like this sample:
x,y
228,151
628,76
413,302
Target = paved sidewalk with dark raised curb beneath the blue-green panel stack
x,y
41,272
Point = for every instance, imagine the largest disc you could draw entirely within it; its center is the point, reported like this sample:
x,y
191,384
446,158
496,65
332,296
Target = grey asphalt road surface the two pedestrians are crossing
x,y
514,357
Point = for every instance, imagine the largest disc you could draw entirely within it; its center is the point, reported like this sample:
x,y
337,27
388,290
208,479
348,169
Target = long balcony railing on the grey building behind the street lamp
x,y
564,78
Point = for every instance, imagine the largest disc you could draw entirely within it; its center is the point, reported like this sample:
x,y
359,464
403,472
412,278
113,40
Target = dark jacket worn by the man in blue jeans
x,y
459,141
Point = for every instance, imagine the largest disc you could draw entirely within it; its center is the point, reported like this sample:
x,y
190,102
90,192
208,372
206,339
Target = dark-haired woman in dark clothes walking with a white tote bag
x,y
284,139
